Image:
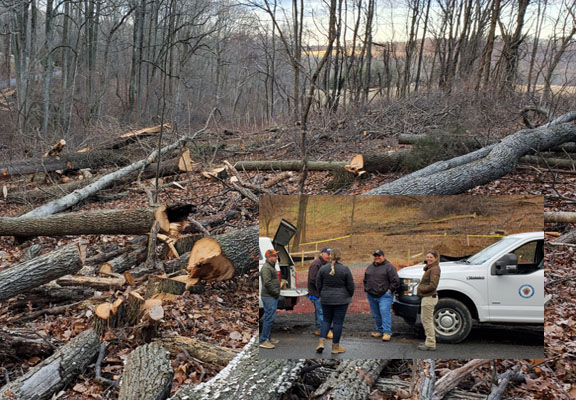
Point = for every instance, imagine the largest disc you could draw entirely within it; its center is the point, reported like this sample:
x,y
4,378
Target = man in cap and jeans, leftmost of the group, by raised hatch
x,y
270,293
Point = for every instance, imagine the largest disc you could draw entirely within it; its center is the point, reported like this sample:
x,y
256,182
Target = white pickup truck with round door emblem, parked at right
x,y
504,283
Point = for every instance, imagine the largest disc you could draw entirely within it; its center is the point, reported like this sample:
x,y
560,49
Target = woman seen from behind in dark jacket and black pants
x,y
336,287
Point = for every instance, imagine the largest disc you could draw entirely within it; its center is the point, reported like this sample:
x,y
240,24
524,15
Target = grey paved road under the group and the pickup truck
x,y
297,341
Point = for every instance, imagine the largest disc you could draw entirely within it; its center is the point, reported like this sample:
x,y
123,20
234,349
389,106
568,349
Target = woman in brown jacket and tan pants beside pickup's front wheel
x,y
427,291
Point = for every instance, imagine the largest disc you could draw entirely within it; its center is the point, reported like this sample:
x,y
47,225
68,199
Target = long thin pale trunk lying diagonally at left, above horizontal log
x,y
107,180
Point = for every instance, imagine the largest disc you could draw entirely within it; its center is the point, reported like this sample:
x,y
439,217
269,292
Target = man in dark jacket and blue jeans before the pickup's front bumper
x,y
380,282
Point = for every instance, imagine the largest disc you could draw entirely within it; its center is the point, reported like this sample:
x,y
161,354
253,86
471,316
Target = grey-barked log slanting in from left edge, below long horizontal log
x,y
40,270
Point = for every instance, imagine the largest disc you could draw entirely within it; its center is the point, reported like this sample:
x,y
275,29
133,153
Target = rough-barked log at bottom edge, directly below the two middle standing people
x,y
352,380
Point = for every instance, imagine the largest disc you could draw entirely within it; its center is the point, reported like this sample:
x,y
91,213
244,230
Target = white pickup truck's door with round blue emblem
x,y
519,297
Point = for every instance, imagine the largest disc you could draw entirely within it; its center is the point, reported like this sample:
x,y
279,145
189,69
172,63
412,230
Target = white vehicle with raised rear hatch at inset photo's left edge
x,y
285,266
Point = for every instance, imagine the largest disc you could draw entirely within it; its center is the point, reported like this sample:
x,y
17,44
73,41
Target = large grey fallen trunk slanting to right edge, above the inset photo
x,y
482,166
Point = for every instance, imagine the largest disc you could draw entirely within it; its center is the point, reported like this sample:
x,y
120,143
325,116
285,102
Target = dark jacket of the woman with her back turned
x,y
335,289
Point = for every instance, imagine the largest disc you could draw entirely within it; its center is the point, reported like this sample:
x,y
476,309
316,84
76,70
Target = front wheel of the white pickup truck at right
x,y
452,321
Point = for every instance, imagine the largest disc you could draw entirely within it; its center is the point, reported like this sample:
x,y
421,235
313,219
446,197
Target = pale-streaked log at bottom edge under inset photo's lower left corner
x,y
246,378
